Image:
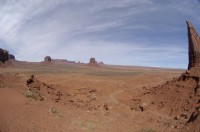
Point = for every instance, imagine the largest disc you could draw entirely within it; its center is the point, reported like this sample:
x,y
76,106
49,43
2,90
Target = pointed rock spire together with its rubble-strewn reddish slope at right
x,y
180,97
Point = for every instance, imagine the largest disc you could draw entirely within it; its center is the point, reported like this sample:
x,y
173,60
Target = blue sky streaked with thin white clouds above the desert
x,y
119,32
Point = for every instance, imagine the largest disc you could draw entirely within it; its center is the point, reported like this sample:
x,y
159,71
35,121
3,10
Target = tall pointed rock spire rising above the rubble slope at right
x,y
194,46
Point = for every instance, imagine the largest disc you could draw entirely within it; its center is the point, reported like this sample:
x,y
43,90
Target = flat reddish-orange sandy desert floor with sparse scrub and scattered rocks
x,y
76,98
